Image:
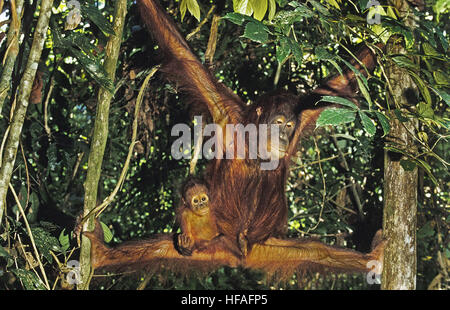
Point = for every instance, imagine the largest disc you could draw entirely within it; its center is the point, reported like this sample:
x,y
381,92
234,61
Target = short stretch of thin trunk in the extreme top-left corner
x,y
13,49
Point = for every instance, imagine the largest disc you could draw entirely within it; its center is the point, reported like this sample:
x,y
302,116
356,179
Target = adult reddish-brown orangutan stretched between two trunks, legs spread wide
x,y
249,204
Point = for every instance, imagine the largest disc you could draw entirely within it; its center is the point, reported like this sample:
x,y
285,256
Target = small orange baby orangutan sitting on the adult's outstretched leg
x,y
194,216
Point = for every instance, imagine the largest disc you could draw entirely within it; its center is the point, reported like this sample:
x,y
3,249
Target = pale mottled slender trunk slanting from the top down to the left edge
x,y
20,110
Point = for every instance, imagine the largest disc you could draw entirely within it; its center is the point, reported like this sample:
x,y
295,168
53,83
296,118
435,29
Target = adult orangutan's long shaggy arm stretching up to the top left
x,y
184,68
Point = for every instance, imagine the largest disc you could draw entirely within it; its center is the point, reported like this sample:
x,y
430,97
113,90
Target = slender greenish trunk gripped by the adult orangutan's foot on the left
x,y
100,136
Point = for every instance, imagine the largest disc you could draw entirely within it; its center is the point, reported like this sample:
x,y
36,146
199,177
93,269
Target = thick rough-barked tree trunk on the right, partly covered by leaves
x,y
400,186
